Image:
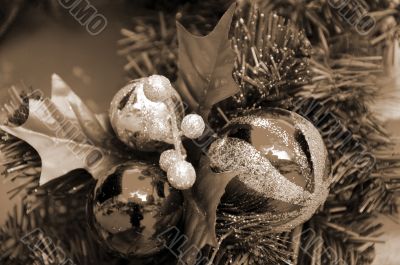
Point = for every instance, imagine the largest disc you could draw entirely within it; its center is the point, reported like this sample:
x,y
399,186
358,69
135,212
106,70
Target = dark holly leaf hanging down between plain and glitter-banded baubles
x,y
201,203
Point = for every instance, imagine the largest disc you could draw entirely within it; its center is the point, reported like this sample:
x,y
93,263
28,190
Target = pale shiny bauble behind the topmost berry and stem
x,y
141,123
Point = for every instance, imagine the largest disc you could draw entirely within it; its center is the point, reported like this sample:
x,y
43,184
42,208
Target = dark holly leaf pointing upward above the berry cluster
x,y
206,65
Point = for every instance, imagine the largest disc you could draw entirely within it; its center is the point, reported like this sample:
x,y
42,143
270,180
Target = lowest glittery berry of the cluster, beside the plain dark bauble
x,y
181,175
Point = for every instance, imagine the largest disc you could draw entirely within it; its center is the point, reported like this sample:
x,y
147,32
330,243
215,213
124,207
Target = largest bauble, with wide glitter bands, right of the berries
x,y
282,164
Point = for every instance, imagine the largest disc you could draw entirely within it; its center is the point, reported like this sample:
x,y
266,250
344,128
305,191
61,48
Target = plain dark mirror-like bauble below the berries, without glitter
x,y
131,208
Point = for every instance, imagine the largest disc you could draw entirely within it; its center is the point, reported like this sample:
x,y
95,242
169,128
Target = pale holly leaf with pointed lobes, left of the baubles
x,y
67,135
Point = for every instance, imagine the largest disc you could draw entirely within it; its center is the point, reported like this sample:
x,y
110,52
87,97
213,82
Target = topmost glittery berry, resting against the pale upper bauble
x,y
157,88
